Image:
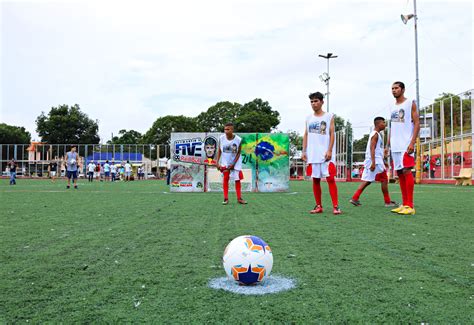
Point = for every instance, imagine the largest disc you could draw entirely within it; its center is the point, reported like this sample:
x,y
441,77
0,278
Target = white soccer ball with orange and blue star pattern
x,y
248,260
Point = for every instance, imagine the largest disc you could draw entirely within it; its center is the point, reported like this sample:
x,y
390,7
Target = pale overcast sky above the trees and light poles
x,y
127,63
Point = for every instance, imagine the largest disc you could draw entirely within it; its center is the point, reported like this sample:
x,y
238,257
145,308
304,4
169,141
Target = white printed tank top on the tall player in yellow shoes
x,y
401,126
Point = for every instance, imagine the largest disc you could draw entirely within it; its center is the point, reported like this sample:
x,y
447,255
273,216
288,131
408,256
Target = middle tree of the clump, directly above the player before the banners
x,y
216,116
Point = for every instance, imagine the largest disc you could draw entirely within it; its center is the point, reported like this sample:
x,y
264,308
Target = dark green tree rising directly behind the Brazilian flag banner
x,y
257,116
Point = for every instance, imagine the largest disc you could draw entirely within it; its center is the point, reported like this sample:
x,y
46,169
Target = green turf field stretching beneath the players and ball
x,y
132,252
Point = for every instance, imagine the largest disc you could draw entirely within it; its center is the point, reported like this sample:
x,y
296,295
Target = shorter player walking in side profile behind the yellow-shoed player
x,y
374,166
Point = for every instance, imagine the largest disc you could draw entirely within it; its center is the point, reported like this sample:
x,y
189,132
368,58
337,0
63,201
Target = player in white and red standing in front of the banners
x,y
229,162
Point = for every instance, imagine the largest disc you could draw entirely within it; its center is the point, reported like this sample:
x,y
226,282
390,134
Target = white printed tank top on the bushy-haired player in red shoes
x,y
318,138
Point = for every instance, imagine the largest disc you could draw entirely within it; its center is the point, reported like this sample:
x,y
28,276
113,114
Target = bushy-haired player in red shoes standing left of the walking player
x,y
319,151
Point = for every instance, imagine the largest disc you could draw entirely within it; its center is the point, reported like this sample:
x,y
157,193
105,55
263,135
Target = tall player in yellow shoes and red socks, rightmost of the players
x,y
404,128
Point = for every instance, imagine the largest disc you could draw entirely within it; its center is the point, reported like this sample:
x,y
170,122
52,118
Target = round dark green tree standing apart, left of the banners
x,y
67,125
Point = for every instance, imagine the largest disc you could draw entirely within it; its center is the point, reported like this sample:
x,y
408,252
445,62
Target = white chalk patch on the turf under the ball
x,y
272,284
